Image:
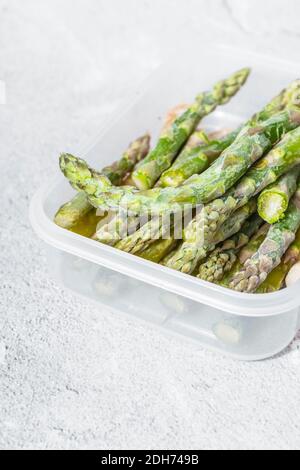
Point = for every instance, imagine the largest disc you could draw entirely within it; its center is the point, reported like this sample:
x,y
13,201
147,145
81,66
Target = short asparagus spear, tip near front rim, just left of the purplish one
x,y
223,258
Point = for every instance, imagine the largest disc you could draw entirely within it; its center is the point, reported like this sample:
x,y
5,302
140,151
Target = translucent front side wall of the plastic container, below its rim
x,y
245,338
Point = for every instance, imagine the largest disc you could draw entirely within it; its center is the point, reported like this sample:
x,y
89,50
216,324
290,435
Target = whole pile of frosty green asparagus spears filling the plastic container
x,y
224,207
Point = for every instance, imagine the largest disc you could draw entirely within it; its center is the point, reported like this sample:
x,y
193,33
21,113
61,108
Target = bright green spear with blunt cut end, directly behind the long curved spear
x,y
195,160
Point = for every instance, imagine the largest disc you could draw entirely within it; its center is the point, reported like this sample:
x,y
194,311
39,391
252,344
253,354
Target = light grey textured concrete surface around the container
x,y
72,376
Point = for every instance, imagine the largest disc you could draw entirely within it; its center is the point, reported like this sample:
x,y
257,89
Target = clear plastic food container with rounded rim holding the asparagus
x,y
244,326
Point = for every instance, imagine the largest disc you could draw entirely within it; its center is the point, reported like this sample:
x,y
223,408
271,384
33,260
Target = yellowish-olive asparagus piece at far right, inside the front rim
x,y
275,280
